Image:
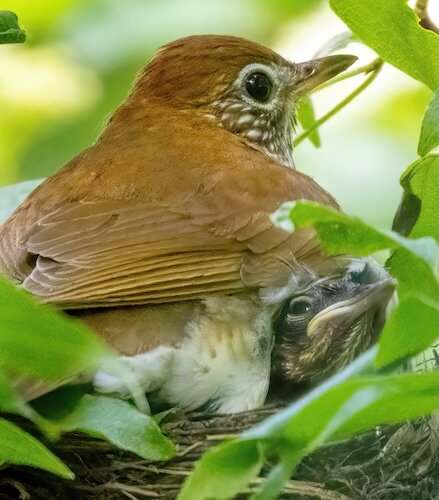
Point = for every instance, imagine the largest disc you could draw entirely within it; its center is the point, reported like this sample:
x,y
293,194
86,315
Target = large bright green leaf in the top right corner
x,y
392,30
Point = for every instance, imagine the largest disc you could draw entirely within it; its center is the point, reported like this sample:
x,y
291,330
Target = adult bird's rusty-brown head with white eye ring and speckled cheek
x,y
236,84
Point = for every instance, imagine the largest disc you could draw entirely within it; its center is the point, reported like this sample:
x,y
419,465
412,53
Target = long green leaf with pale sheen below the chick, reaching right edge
x,y
336,410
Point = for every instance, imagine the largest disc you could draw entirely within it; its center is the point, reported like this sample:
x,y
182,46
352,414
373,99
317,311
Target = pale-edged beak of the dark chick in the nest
x,y
342,318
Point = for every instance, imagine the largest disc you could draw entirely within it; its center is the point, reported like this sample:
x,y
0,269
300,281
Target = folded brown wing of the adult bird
x,y
113,252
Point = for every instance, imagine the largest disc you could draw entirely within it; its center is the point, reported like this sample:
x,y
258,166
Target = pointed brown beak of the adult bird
x,y
310,74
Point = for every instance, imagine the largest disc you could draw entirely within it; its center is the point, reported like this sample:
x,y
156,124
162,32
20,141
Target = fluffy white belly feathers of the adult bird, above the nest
x,y
223,363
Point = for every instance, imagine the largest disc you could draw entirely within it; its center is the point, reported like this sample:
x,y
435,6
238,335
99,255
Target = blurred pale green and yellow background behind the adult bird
x,y
82,56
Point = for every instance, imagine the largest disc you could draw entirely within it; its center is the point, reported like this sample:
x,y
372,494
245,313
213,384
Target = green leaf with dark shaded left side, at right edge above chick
x,y
417,212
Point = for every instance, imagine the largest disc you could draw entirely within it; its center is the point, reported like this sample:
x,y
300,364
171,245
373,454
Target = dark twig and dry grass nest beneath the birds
x,y
390,462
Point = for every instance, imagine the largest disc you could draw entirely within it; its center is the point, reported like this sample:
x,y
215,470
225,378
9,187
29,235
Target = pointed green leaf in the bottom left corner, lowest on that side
x,y
19,448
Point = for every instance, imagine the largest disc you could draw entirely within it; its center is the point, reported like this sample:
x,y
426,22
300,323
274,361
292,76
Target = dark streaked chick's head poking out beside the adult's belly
x,y
325,324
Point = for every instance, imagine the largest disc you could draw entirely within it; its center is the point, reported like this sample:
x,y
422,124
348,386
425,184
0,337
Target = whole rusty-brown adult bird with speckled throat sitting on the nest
x,y
110,239
